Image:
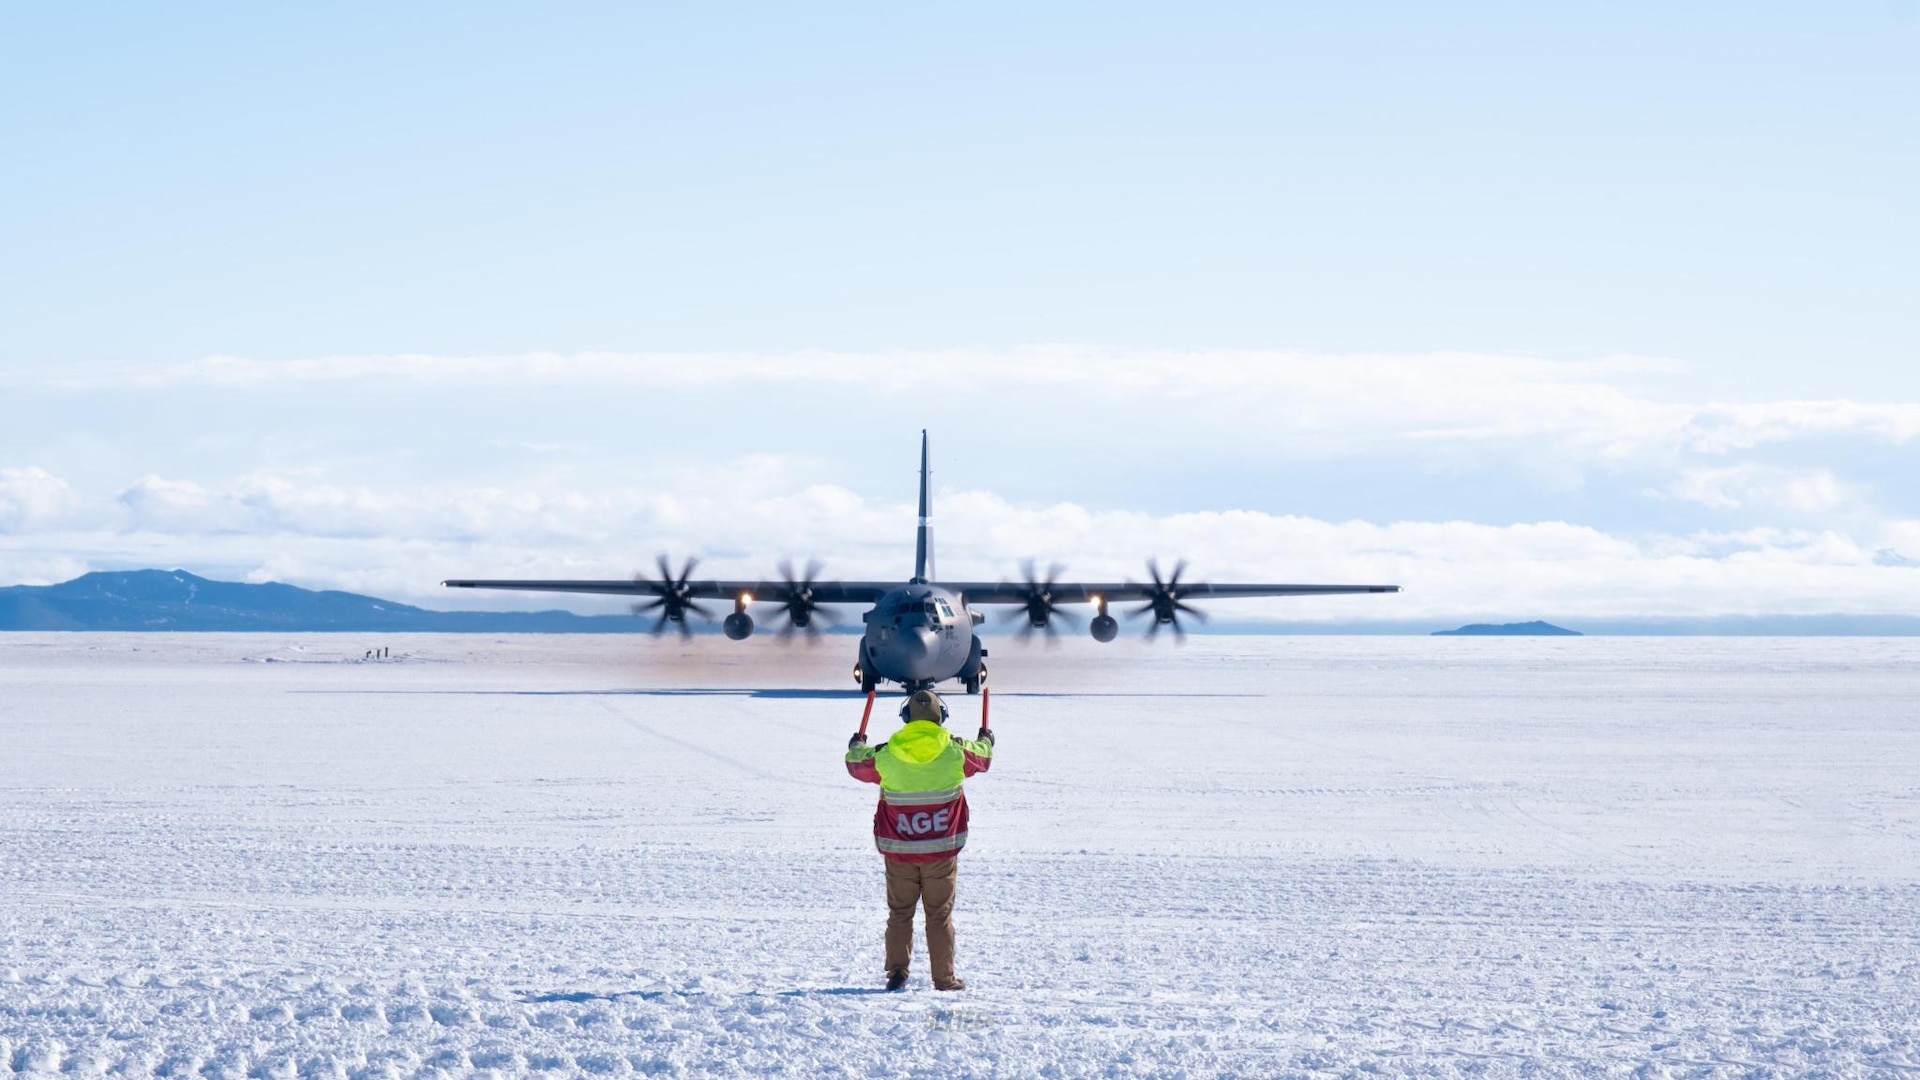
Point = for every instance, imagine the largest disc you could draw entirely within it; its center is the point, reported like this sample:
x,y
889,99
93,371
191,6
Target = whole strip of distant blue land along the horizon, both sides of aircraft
x,y
178,601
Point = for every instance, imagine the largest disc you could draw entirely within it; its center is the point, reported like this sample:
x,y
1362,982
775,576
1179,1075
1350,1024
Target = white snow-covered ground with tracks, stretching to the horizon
x,y
262,856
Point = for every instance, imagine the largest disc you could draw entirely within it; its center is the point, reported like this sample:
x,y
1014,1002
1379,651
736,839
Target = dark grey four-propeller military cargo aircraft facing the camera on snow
x,y
921,633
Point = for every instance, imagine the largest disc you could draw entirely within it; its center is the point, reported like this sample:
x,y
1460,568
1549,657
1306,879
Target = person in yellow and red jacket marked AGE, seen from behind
x,y
921,827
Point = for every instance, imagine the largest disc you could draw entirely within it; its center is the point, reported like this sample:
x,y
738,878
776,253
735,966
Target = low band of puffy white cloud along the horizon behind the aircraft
x,y
400,543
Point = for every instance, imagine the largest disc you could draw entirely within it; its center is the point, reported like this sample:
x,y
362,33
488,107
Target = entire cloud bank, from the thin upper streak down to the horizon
x,y
1485,485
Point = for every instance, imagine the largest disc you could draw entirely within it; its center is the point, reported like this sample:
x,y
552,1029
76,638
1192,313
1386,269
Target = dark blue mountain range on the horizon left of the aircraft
x,y
178,601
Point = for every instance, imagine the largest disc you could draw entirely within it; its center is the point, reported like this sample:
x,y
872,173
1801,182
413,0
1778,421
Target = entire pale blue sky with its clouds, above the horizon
x,y
1477,266
